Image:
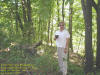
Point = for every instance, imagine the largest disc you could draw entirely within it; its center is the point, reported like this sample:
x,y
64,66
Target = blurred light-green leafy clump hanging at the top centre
x,y
46,8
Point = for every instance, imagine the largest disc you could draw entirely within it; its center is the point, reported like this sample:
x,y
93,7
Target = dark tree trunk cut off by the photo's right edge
x,y
97,8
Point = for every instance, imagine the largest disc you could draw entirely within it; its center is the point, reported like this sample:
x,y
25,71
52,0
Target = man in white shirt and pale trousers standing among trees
x,y
62,40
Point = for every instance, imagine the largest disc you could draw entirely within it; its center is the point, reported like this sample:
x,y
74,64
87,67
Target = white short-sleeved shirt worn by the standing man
x,y
61,40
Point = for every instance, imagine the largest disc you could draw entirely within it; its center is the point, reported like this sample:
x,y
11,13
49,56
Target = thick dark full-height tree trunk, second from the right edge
x,y
87,11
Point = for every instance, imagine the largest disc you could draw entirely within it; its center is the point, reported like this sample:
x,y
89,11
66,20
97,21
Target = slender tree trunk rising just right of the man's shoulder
x,y
70,23
